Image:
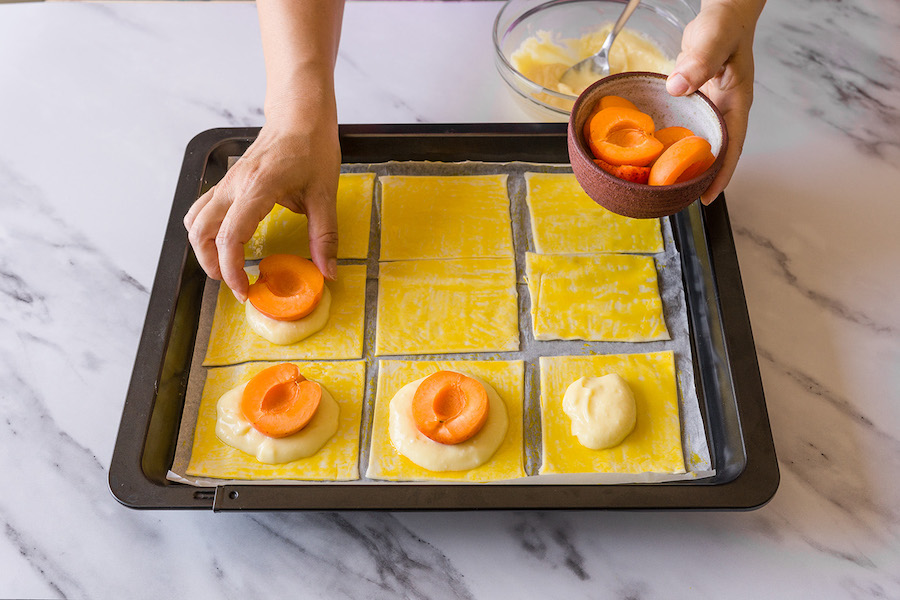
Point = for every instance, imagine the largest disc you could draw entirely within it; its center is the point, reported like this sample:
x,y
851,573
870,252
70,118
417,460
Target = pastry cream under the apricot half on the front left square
x,y
235,430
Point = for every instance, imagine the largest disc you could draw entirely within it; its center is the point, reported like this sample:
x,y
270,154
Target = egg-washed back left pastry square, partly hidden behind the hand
x,y
285,232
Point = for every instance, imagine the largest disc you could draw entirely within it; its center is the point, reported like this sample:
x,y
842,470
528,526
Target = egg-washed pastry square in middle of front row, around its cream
x,y
506,377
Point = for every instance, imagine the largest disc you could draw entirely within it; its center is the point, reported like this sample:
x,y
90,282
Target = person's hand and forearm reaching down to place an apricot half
x,y
295,161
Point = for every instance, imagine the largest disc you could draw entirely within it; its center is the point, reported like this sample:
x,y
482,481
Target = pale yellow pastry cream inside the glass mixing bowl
x,y
544,58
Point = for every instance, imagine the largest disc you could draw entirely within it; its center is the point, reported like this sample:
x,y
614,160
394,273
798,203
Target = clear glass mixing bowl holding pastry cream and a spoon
x,y
661,21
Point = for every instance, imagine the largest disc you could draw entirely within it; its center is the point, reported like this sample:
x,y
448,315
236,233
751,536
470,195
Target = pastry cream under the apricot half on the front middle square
x,y
434,456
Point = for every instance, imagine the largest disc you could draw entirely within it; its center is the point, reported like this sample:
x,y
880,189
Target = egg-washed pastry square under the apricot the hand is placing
x,y
232,341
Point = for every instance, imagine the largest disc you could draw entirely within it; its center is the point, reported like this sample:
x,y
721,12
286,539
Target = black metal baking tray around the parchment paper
x,y
725,364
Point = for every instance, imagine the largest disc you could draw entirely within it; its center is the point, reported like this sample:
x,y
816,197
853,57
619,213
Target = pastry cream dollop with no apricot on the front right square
x,y
602,410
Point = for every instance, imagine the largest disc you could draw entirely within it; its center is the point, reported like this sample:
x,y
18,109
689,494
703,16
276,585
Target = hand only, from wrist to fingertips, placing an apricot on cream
x,y
297,168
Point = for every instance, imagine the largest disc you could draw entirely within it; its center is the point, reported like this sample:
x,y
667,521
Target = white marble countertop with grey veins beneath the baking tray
x,y
97,102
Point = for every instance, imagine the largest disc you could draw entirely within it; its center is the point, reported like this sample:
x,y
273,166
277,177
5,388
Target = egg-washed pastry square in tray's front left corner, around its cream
x,y
337,460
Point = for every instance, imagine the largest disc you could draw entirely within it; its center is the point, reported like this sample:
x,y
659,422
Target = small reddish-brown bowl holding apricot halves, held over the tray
x,y
648,92
